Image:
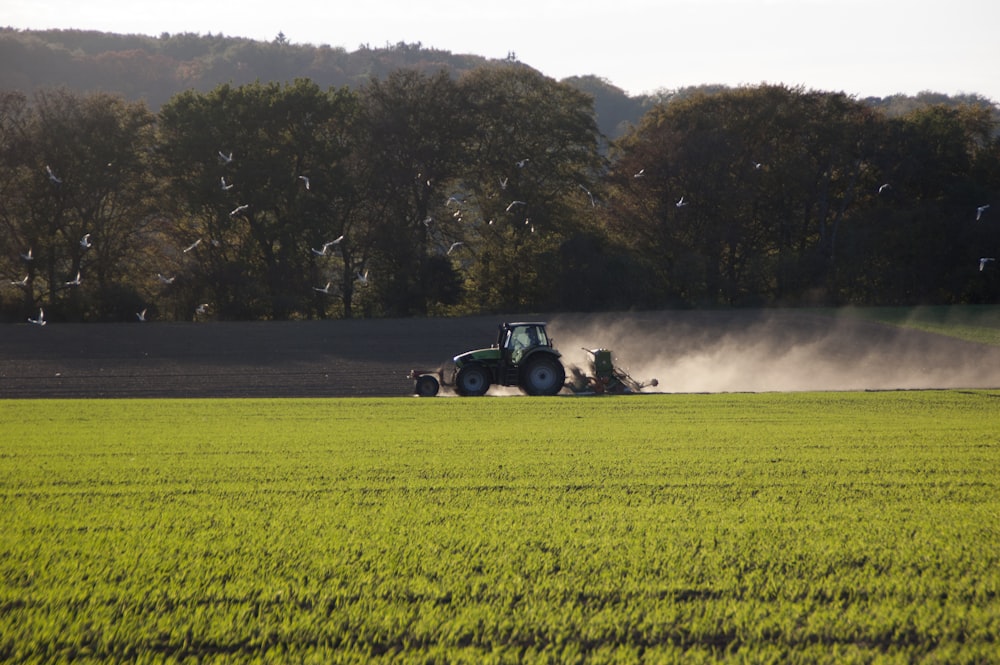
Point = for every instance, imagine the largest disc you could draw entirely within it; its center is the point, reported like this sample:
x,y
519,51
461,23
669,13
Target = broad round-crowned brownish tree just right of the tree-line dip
x,y
739,196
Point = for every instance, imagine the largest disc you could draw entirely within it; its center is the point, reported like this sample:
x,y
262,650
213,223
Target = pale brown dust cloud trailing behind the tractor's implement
x,y
778,350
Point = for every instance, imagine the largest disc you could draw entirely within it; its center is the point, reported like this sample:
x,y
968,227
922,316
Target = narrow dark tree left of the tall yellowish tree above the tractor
x,y
412,130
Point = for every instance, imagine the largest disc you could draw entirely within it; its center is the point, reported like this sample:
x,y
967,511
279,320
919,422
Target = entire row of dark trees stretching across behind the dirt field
x,y
493,191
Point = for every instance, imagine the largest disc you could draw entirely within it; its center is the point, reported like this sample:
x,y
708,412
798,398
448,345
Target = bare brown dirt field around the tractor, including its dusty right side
x,y
687,351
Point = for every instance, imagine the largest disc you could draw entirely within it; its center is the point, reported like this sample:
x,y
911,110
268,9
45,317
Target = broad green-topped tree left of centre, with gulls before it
x,y
258,172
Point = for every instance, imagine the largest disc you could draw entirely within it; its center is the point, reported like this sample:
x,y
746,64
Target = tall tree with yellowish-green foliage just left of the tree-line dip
x,y
529,171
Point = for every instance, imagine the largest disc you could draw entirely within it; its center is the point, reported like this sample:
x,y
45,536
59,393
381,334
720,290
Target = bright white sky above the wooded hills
x,y
861,47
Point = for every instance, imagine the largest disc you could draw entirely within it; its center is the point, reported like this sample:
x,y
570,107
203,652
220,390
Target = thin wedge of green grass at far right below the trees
x,y
973,323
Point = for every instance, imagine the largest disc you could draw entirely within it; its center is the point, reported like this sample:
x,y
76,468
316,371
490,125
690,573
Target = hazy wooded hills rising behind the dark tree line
x,y
154,69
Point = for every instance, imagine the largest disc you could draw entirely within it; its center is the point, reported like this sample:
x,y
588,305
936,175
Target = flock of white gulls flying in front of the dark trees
x,y
362,277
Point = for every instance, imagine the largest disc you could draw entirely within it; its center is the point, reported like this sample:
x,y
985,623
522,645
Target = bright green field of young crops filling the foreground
x,y
803,527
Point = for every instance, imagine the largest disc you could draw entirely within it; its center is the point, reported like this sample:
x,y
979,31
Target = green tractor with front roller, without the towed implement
x,y
523,356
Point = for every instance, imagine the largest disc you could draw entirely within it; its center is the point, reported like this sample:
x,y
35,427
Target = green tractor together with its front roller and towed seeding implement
x,y
525,356
